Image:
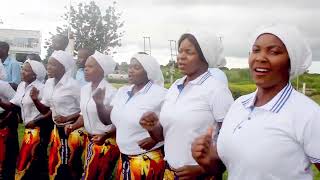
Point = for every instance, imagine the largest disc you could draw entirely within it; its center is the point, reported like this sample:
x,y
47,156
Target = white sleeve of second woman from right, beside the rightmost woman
x,y
220,103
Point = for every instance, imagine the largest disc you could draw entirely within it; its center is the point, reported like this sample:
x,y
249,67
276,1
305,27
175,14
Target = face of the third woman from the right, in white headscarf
x,y
136,73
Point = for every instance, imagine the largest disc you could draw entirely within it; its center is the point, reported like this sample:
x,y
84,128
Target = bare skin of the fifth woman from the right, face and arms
x,y
55,70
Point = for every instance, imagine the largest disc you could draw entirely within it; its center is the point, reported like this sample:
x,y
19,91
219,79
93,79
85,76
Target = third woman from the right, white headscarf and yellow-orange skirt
x,y
141,157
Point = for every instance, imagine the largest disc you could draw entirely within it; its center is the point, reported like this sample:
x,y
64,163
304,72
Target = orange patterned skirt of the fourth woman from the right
x,y
100,160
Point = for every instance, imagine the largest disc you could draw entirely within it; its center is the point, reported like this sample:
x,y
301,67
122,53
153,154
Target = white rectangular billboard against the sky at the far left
x,y
22,42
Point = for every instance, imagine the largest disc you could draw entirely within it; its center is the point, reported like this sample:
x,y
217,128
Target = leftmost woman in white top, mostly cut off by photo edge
x,y
9,145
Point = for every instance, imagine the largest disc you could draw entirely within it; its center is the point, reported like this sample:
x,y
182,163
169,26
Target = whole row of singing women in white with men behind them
x,y
84,128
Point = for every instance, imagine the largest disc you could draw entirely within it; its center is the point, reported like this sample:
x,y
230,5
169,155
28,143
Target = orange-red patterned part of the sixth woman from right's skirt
x,y
30,141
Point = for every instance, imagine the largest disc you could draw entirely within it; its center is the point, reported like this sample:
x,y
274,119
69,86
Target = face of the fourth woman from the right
x,y
93,71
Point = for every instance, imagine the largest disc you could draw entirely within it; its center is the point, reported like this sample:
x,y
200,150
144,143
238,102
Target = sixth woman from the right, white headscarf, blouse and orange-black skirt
x,y
32,152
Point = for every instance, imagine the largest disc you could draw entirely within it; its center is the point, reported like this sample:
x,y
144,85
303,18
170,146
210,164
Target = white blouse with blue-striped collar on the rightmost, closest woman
x,y
278,140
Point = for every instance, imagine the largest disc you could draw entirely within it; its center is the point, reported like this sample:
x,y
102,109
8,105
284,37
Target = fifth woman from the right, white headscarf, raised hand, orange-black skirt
x,y
62,96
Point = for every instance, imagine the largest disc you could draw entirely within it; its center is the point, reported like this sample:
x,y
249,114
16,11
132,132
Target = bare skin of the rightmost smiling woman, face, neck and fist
x,y
269,65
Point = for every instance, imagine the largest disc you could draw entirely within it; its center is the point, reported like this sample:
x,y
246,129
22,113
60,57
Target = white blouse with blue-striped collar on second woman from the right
x,y
187,113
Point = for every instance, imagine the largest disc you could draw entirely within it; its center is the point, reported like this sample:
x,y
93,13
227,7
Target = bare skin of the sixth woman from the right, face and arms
x,y
28,76
